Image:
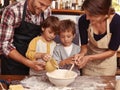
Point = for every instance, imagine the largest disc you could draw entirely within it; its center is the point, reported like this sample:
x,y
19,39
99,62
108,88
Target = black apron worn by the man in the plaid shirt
x,y
22,36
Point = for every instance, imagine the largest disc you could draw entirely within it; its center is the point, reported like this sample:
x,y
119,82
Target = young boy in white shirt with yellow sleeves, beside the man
x,y
41,47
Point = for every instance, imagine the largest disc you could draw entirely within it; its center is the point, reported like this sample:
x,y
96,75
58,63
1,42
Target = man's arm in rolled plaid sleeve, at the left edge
x,y
8,23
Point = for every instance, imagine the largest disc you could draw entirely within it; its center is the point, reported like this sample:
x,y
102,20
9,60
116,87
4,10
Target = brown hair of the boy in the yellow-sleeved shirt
x,y
52,22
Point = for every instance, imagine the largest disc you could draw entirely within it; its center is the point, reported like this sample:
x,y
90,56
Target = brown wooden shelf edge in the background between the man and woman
x,y
67,11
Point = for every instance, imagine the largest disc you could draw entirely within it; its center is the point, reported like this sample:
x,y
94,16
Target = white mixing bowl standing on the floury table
x,y
58,77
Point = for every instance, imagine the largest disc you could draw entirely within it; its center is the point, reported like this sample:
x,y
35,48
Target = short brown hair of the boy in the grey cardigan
x,y
67,25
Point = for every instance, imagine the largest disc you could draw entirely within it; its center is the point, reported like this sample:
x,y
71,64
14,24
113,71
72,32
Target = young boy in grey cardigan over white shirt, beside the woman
x,y
64,52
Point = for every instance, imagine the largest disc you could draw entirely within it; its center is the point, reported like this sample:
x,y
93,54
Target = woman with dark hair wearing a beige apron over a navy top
x,y
99,31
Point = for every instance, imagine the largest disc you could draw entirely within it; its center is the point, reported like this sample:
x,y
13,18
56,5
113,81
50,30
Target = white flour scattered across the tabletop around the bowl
x,y
81,83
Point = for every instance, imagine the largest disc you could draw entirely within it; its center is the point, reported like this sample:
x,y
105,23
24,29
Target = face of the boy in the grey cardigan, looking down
x,y
66,38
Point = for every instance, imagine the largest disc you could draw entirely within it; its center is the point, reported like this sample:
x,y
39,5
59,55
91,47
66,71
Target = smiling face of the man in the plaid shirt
x,y
38,6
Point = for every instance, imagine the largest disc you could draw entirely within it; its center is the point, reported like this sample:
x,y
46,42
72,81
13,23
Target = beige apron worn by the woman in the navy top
x,y
106,67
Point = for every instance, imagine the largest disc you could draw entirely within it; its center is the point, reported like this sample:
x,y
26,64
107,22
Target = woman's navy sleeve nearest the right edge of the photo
x,y
115,30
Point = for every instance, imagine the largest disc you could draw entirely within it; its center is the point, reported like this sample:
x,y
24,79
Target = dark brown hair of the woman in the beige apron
x,y
98,7
